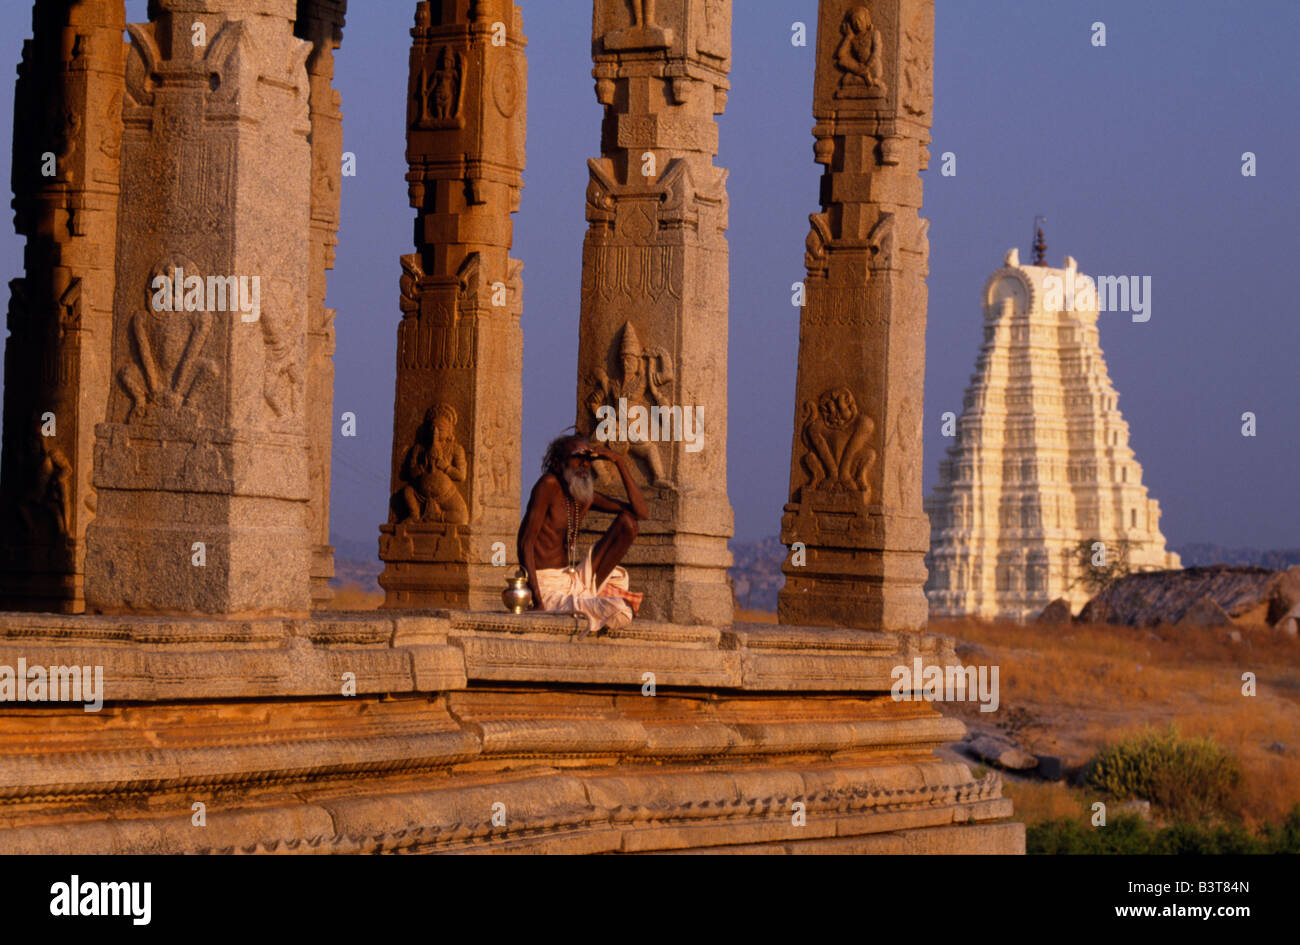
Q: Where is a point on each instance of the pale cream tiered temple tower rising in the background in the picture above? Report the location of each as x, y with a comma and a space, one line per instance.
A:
1042, 461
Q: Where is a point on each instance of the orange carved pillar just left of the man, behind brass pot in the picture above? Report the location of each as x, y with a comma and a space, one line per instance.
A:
458, 406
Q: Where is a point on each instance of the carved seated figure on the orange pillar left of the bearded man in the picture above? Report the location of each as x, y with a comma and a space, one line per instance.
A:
431, 470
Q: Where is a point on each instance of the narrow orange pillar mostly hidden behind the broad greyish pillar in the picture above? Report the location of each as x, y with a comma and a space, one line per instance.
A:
322, 24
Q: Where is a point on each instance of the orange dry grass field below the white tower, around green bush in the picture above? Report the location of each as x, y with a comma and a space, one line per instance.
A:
1071, 691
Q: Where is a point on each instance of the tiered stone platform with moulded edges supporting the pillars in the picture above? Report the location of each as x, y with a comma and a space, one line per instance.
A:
483, 732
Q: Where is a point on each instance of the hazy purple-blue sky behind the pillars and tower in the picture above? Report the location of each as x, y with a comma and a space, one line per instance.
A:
1132, 151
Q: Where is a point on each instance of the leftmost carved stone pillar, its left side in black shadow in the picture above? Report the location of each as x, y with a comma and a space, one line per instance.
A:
68, 132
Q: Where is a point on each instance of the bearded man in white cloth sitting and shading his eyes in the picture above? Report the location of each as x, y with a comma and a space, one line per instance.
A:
548, 537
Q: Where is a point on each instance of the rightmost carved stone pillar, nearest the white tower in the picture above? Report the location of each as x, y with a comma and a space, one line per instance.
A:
856, 502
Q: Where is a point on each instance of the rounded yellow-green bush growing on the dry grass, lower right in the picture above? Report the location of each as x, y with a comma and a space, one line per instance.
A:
1189, 778
